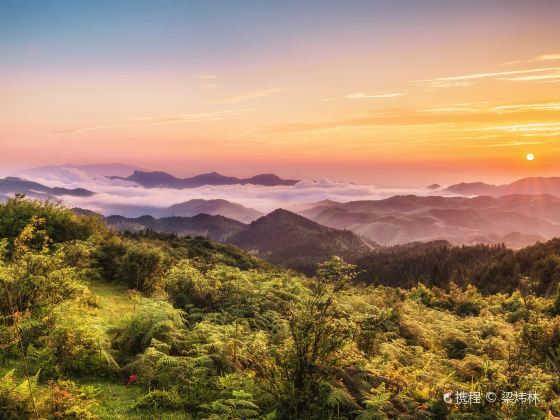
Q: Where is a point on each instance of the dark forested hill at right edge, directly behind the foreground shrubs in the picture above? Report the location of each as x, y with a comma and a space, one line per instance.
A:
491, 268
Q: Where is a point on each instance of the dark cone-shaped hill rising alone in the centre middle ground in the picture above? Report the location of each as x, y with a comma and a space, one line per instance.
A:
286, 238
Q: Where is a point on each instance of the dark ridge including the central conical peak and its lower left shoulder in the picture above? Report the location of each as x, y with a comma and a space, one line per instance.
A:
280, 237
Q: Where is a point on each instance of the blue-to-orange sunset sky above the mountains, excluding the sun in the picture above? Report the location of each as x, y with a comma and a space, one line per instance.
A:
388, 92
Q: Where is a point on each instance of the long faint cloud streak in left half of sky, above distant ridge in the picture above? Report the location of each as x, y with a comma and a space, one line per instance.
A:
154, 120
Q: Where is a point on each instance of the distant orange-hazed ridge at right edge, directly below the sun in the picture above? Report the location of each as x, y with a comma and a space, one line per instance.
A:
526, 186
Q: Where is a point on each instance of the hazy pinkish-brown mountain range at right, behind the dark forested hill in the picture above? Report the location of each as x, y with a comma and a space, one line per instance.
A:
516, 220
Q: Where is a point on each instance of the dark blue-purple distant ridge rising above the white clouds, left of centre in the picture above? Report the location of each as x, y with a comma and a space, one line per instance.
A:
158, 179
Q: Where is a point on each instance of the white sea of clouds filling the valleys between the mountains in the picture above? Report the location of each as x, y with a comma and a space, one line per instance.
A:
129, 199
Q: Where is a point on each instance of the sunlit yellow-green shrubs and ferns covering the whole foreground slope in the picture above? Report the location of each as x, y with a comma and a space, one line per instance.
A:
98, 325
